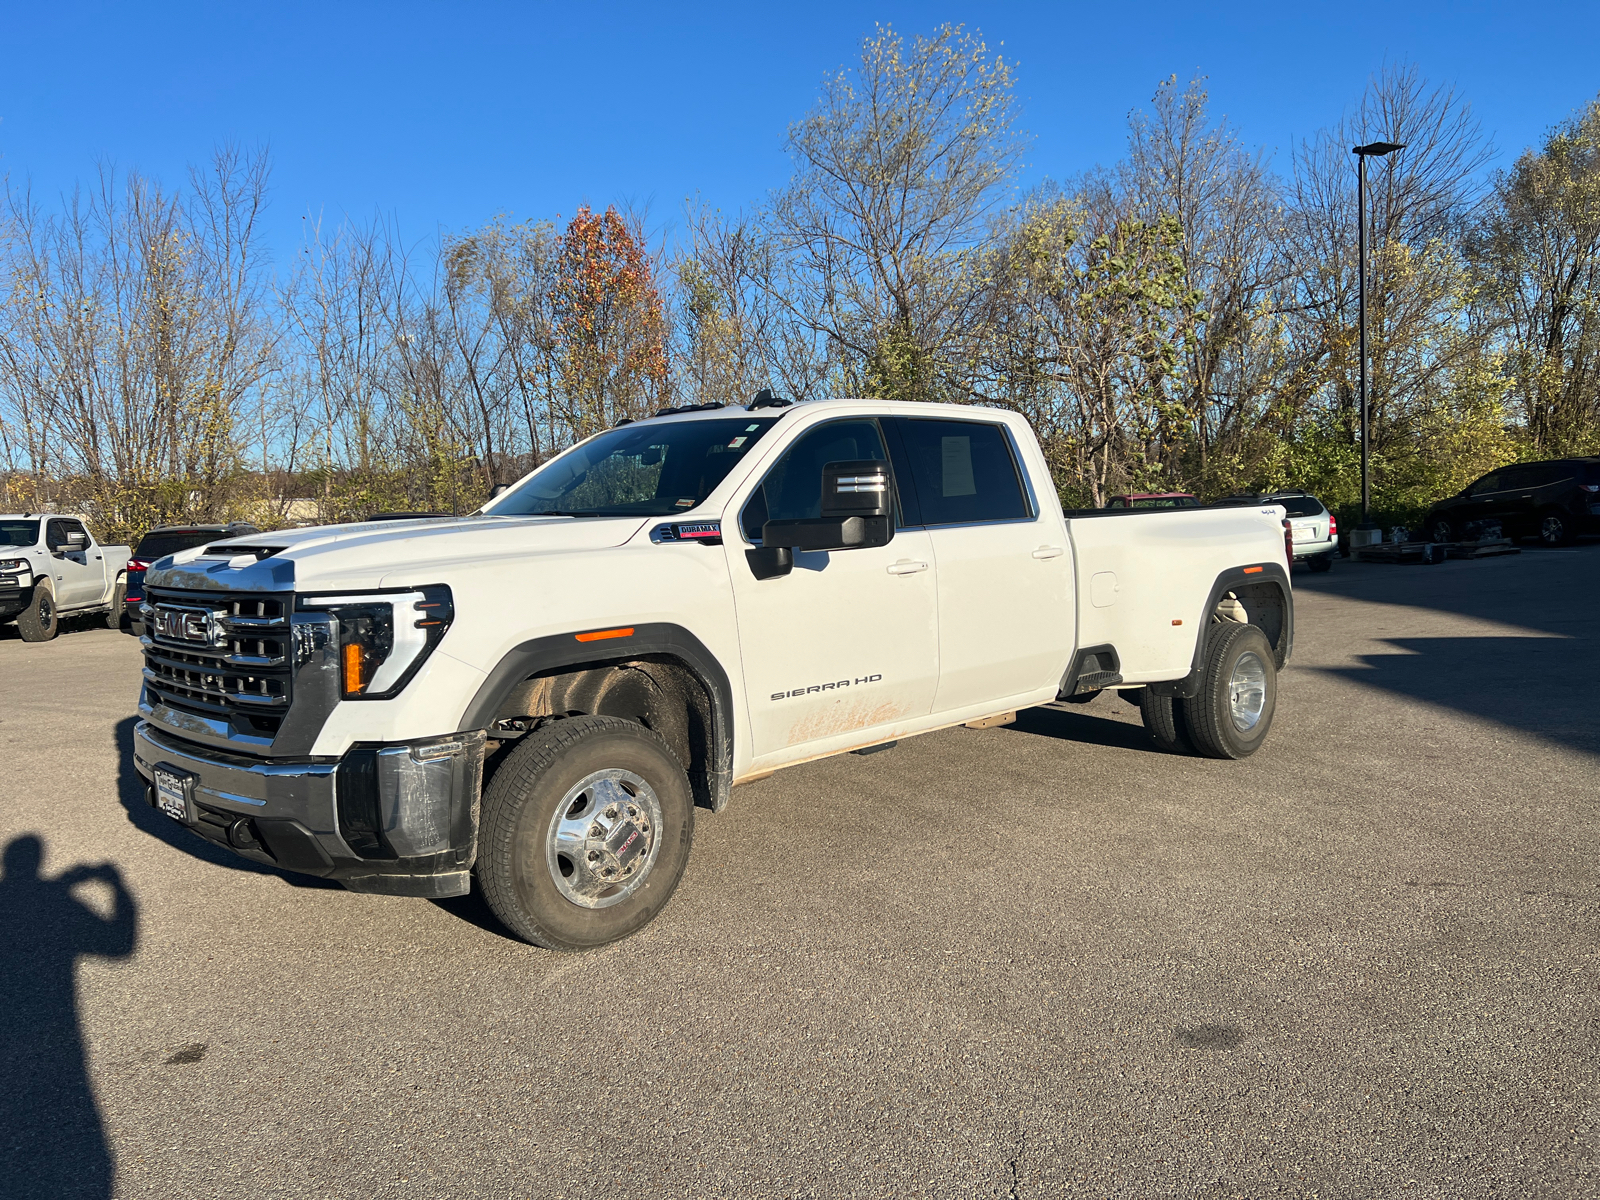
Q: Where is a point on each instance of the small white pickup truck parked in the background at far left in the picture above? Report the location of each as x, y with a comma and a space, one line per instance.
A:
52, 567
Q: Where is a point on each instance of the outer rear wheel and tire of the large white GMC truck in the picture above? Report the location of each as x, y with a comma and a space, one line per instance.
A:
1239, 690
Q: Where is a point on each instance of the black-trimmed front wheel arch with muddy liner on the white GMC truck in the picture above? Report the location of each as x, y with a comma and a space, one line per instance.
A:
660, 676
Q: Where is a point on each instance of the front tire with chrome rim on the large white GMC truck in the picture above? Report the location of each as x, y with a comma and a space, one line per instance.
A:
586, 833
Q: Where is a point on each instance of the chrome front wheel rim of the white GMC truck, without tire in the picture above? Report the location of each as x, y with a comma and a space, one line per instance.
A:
606, 839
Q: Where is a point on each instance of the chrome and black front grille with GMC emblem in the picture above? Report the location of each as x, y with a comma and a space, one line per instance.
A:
222, 655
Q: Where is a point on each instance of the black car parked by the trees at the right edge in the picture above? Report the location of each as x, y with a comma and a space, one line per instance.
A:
1551, 502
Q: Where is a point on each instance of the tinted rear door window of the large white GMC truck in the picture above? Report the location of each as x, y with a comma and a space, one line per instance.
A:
964, 473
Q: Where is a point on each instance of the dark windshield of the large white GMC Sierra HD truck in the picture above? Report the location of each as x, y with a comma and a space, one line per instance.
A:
647, 470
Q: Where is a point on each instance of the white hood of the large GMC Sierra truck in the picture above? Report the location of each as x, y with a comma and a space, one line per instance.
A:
382, 554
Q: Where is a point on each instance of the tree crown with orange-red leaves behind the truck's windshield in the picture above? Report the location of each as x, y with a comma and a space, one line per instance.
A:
610, 329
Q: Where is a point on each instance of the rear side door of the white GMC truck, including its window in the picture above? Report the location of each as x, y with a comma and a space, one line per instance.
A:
1004, 574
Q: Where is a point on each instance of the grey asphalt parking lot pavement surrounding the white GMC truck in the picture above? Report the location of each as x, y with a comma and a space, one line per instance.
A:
1018, 962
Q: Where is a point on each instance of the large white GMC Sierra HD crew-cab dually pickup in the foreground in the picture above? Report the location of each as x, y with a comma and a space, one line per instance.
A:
542, 694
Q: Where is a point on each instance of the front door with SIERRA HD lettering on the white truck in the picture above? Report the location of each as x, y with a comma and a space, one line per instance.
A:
846, 649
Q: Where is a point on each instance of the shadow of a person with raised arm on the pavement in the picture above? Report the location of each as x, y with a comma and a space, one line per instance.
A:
52, 1138
